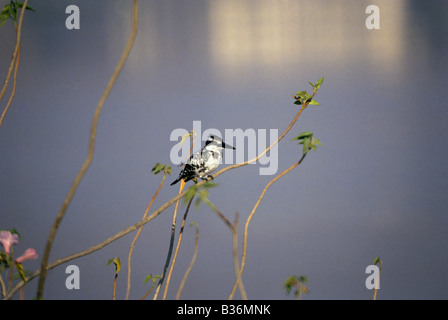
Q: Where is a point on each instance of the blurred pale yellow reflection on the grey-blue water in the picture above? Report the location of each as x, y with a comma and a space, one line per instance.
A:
284, 32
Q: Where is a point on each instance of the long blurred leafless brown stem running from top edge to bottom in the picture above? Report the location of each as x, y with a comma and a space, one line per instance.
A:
89, 158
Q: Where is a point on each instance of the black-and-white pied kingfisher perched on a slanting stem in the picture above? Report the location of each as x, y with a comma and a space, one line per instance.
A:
204, 161
